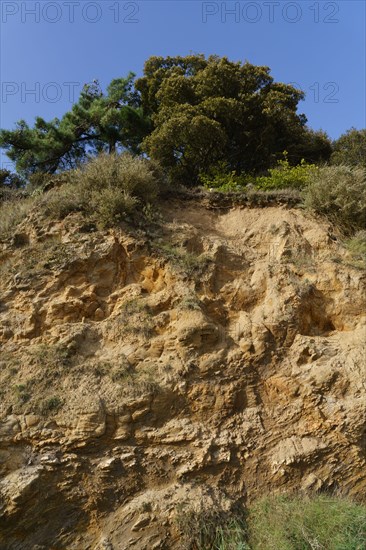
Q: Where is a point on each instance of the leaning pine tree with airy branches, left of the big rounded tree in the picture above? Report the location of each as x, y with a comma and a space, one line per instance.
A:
97, 122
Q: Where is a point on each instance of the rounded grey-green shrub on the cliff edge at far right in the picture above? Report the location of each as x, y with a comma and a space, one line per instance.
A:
339, 193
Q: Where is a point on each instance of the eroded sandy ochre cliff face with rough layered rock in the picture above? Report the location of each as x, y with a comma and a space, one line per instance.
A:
204, 362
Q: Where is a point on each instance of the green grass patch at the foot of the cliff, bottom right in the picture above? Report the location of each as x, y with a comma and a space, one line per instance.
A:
279, 523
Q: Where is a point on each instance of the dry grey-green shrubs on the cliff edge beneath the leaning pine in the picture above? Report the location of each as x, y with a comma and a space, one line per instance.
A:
105, 191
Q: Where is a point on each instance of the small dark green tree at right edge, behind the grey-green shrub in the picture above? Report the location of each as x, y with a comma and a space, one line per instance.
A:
350, 148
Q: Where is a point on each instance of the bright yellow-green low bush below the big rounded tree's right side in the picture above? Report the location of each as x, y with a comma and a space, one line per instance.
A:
285, 176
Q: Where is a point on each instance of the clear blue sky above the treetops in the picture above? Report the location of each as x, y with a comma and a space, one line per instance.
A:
54, 47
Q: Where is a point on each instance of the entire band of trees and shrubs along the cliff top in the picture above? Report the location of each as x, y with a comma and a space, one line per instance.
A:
226, 126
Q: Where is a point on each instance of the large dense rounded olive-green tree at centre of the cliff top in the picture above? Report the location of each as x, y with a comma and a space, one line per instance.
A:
205, 111
